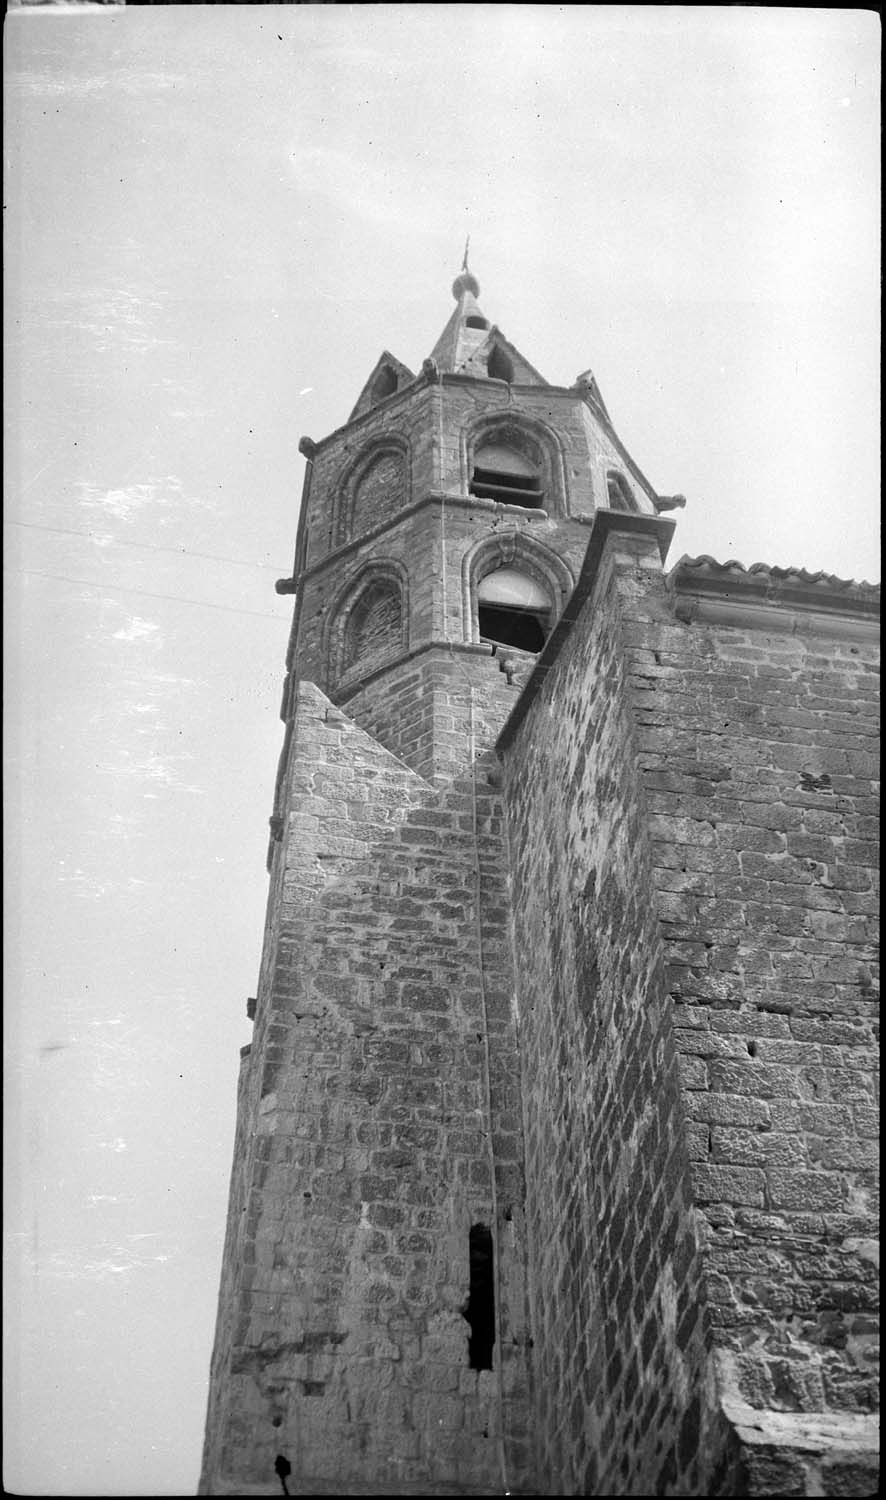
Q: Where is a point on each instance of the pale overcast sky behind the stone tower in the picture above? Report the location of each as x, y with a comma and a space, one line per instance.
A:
218, 218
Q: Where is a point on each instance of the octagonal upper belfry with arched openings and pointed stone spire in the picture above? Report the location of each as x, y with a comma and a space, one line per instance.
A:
443, 530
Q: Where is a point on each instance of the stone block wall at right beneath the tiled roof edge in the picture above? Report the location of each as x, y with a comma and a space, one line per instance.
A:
759, 760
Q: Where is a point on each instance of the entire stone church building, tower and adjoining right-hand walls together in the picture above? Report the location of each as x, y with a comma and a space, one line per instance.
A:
555, 1160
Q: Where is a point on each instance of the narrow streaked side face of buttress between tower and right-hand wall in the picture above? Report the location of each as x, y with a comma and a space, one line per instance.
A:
618, 1318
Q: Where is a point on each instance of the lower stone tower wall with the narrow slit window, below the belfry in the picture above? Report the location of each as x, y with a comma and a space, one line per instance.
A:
382, 1082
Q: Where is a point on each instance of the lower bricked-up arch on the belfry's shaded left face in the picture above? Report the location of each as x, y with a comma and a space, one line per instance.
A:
370, 622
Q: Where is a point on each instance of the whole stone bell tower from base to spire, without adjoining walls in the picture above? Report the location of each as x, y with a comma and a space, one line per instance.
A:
376, 1312
